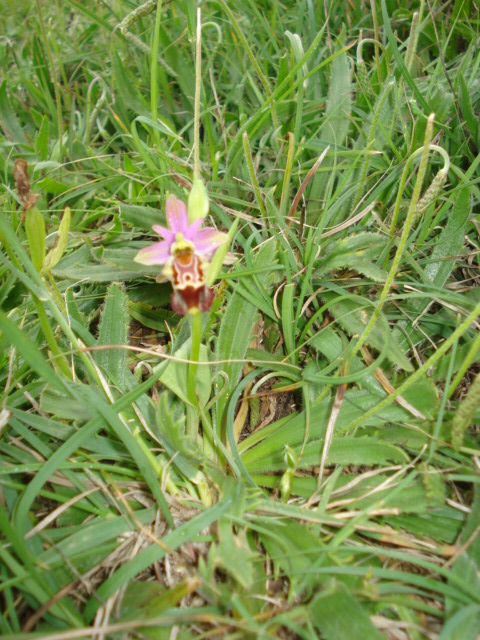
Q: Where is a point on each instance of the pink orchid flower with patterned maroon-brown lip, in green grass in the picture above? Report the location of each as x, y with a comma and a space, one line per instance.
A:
185, 251
